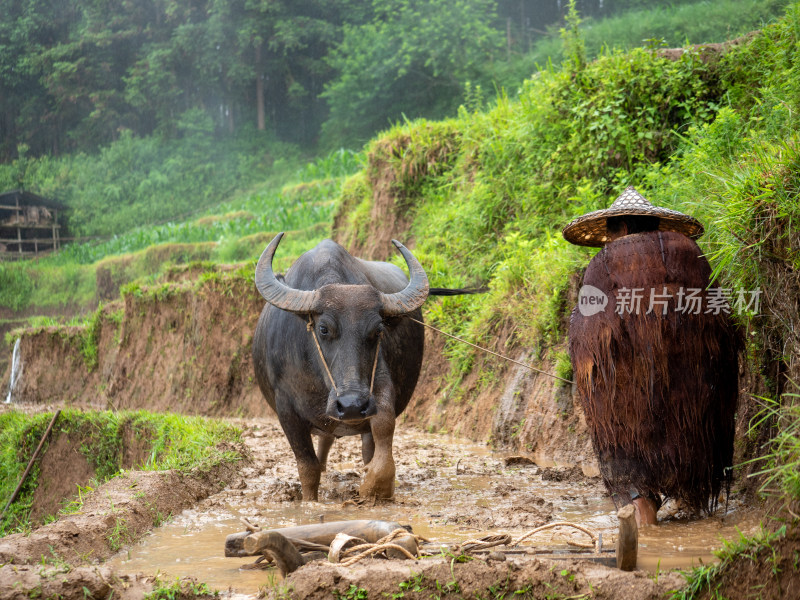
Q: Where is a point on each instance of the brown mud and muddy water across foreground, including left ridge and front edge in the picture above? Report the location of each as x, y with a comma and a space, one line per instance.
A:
448, 489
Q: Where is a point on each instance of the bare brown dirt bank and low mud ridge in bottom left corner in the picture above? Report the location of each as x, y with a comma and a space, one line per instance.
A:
63, 559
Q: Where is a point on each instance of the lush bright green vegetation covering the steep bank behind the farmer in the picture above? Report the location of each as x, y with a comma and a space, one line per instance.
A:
711, 132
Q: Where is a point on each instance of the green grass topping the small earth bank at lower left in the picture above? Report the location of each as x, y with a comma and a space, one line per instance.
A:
176, 442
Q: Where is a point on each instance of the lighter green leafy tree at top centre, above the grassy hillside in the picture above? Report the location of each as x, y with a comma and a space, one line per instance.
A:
413, 58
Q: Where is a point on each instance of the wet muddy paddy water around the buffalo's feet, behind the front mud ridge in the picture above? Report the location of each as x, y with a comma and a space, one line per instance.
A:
448, 490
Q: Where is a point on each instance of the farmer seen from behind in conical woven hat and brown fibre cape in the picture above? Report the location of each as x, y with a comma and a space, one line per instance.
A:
655, 357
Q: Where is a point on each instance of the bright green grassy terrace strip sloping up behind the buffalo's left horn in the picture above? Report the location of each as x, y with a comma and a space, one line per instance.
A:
237, 230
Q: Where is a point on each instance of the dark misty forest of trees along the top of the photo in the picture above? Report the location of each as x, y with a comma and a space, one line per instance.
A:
77, 74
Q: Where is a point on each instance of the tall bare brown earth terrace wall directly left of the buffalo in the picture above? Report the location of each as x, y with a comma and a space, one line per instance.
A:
180, 347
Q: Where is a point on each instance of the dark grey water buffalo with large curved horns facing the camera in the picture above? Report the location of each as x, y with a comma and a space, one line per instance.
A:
334, 356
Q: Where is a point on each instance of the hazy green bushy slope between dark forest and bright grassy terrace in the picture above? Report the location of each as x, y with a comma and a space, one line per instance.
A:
137, 181
